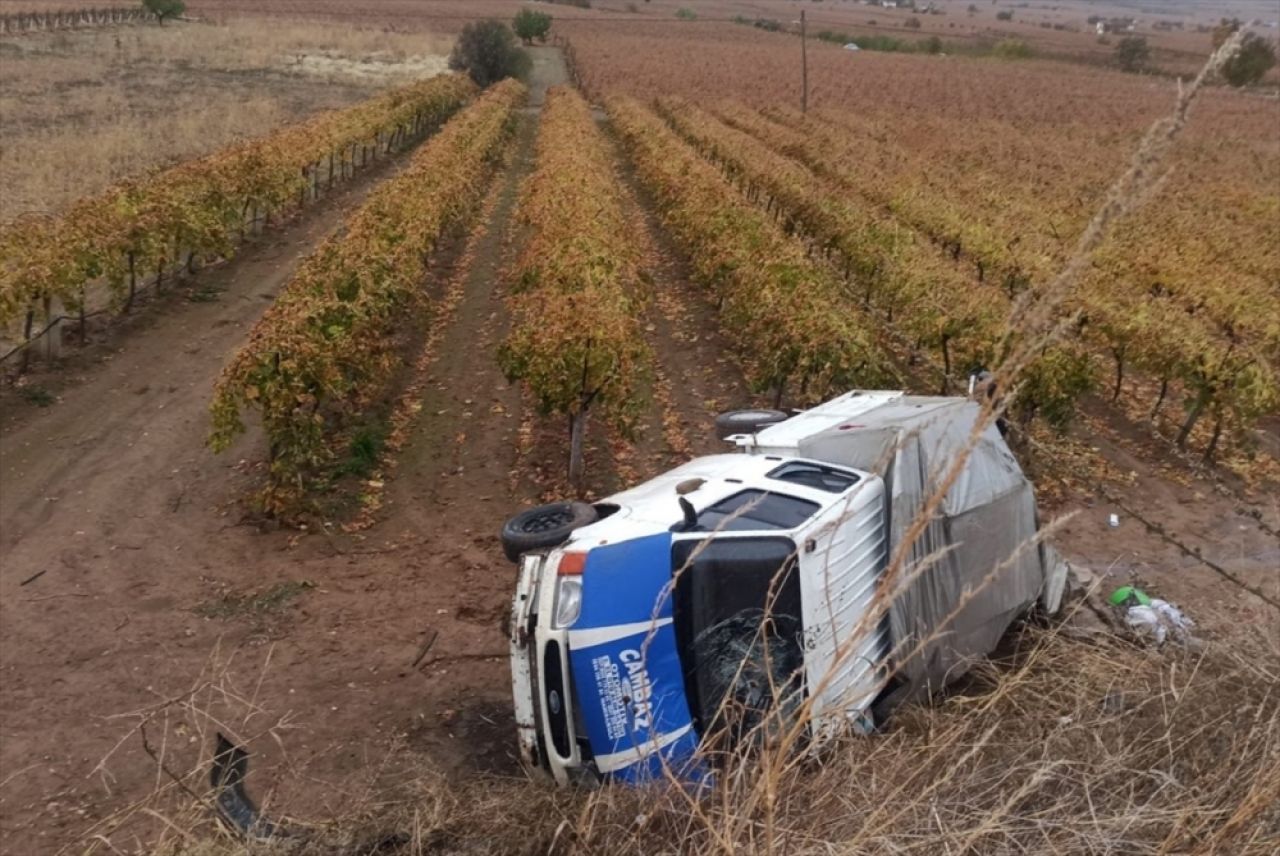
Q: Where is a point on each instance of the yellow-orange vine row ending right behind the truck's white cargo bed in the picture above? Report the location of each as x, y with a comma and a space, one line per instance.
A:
790, 318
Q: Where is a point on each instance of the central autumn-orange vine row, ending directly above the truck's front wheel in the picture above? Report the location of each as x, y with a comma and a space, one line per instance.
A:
577, 341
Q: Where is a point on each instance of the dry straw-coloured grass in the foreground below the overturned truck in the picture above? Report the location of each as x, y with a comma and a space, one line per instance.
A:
1073, 744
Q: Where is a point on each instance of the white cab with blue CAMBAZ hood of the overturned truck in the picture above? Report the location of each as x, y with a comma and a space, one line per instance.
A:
733, 588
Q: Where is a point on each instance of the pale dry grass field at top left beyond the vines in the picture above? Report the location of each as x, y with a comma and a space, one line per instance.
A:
83, 109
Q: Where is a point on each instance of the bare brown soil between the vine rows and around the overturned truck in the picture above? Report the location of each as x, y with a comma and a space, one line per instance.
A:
131, 579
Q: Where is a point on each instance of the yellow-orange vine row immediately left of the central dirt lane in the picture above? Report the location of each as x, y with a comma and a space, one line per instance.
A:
323, 353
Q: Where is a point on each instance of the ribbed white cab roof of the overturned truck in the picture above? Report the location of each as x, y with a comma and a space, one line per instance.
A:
842, 559
